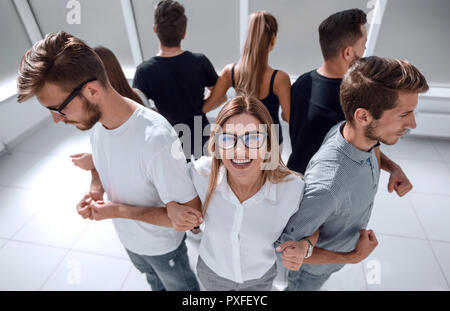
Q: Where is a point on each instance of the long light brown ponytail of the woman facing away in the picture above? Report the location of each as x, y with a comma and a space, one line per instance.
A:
262, 28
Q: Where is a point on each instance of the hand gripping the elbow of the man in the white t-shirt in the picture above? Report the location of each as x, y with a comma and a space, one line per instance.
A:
183, 217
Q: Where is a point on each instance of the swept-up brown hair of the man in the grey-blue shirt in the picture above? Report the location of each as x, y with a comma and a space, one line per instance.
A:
373, 83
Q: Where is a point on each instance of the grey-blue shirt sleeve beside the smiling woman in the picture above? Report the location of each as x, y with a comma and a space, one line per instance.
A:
315, 208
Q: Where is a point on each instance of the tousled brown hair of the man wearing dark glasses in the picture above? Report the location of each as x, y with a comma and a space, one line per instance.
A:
59, 58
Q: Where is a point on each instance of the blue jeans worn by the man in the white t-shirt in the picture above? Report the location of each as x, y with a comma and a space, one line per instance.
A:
170, 271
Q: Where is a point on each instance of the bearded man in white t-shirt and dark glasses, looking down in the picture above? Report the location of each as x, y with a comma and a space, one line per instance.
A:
136, 152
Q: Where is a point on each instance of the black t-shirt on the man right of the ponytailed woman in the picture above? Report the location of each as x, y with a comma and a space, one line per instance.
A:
315, 109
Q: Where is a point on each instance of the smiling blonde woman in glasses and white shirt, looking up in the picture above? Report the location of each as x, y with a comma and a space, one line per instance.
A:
245, 205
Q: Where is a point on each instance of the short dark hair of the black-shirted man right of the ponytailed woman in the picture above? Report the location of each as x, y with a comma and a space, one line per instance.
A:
340, 30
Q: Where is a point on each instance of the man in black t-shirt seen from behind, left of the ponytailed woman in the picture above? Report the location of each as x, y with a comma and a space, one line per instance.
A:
175, 79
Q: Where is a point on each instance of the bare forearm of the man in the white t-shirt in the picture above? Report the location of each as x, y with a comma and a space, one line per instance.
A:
152, 215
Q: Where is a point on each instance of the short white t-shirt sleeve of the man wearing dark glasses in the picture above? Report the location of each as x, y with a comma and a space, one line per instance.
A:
170, 175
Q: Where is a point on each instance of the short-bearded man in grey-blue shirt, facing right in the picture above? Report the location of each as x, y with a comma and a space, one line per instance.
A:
378, 98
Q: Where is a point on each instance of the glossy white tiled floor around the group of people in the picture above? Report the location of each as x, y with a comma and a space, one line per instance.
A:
45, 245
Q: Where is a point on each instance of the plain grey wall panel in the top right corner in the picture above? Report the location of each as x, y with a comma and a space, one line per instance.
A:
418, 31
